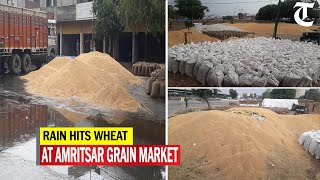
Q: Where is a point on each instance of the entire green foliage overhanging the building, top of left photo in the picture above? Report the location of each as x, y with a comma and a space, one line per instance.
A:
112, 16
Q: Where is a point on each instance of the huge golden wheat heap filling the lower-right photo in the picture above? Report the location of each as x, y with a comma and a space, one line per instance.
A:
225, 145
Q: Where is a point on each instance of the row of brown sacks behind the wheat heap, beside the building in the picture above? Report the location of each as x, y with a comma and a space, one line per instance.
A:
145, 68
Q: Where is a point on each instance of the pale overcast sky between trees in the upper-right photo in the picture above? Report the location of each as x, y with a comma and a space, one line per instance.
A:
233, 7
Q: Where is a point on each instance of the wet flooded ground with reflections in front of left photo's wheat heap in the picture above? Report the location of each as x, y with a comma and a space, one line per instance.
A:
22, 113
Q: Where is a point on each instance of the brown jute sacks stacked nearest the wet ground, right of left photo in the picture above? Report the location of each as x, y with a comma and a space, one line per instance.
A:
157, 84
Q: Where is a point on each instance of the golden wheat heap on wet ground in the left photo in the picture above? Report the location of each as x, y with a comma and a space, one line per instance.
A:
94, 78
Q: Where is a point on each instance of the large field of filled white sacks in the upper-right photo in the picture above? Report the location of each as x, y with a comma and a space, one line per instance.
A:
247, 62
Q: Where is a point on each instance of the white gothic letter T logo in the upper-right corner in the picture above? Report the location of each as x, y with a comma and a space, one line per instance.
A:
304, 7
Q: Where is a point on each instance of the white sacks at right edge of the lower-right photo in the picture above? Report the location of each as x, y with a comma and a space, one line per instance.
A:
311, 142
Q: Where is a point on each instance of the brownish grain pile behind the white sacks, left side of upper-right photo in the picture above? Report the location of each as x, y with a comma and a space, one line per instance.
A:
178, 37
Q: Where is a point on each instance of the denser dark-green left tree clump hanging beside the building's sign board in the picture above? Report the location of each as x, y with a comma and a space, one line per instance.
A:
107, 22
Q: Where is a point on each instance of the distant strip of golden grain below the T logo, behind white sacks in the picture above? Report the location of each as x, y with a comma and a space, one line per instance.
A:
267, 28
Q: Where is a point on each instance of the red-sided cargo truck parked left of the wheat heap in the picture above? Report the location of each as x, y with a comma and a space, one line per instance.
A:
24, 39
